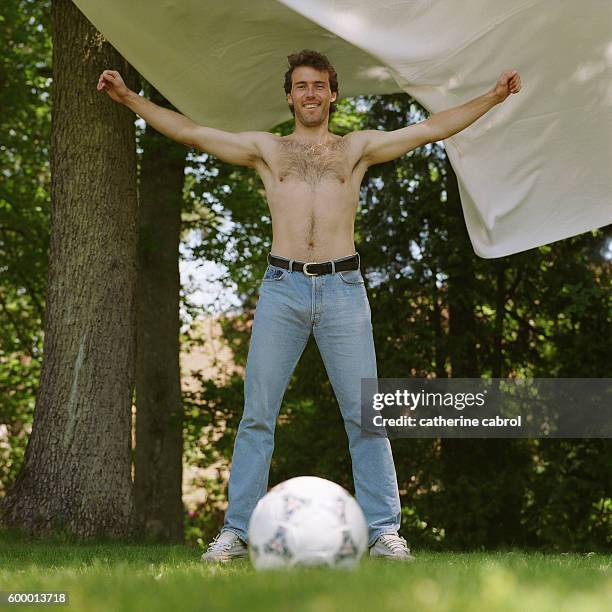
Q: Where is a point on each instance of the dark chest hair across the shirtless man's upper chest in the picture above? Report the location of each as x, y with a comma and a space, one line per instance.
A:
312, 163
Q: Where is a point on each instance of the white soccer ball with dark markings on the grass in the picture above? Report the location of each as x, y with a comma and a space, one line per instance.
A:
307, 521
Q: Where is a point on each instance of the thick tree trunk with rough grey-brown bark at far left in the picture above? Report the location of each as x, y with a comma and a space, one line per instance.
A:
76, 476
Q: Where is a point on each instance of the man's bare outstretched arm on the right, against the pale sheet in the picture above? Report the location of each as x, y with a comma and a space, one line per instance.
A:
379, 146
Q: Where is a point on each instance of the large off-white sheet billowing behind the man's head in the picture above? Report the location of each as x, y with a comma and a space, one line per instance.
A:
535, 169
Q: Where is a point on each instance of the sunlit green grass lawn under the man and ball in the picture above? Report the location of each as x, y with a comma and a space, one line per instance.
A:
109, 577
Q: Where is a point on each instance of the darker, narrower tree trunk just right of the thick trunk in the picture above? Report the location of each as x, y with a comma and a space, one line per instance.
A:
159, 423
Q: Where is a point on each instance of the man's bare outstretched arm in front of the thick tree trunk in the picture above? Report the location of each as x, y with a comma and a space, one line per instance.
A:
236, 148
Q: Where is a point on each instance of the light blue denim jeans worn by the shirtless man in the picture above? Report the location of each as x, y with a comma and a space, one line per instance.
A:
335, 308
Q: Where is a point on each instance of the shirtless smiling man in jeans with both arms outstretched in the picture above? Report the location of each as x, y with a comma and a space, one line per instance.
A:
313, 283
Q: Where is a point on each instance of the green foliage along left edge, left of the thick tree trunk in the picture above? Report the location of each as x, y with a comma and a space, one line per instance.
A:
24, 218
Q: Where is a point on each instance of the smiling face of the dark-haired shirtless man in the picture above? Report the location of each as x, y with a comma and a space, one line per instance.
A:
310, 95
